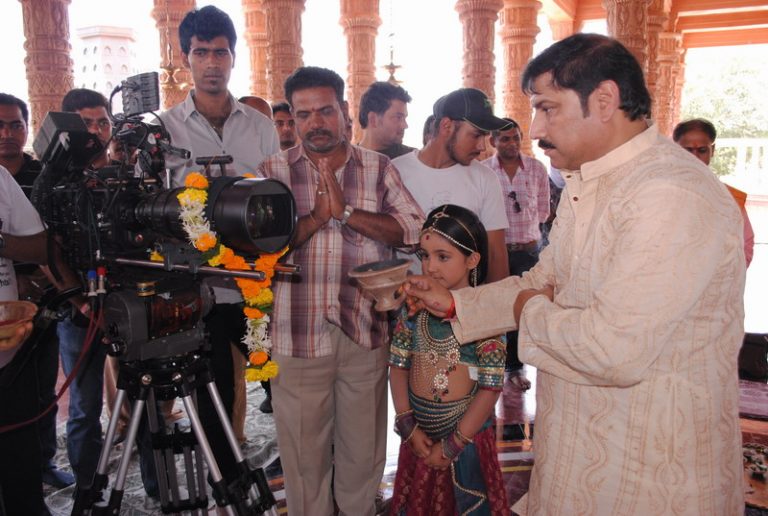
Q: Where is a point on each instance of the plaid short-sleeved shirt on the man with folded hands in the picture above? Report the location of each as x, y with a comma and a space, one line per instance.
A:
303, 308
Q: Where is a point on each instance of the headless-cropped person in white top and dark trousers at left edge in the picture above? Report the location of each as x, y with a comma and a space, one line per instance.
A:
22, 238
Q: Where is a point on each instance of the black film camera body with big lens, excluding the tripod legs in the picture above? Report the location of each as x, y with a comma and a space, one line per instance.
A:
112, 218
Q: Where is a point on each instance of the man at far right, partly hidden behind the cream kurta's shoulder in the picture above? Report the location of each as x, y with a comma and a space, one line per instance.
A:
698, 136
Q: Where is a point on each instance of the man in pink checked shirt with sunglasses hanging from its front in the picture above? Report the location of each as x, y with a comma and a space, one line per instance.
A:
525, 185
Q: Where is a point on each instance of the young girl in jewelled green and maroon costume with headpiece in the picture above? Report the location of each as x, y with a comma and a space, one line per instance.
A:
444, 394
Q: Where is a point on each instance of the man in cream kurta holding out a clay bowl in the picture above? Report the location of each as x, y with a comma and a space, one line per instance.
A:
633, 317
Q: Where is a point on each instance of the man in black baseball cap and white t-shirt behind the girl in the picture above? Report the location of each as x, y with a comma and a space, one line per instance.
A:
446, 171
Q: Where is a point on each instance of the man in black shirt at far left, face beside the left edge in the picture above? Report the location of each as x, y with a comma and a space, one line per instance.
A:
31, 282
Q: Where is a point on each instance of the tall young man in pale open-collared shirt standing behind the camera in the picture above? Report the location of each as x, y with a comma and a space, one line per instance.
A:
210, 122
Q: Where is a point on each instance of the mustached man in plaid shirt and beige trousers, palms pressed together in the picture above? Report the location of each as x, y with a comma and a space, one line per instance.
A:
331, 345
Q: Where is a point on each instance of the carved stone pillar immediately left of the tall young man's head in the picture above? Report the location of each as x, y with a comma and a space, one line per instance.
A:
175, 79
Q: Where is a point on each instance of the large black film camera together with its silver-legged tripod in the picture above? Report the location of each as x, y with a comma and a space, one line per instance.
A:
107, 221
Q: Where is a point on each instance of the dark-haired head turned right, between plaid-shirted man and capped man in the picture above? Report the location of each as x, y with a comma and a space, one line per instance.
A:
383, 114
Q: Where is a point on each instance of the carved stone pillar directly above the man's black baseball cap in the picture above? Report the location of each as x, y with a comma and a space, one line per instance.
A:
477, 19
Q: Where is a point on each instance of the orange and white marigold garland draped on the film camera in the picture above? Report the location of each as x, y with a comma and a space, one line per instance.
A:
257, 294
